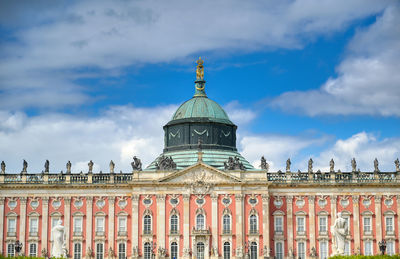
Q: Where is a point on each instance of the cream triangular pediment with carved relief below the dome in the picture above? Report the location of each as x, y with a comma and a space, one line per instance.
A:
200, 172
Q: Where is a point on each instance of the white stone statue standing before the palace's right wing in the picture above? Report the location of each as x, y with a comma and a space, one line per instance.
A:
339, 231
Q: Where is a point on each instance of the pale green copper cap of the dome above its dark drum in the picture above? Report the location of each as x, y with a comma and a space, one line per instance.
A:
201, 107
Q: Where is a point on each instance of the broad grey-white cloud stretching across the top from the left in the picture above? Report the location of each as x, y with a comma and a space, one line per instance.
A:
52, 46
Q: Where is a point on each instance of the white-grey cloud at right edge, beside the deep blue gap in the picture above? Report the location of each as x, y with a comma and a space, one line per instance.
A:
368, 78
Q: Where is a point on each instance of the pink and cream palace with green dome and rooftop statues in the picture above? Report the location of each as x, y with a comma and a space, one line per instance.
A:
199, 199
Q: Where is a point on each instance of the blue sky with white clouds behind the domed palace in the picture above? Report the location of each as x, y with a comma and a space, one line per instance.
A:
97, 80
